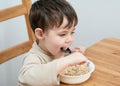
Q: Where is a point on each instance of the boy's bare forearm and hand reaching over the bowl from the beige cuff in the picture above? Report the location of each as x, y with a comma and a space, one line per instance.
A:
69, 60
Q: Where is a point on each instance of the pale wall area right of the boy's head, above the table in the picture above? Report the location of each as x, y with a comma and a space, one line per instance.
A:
97, 19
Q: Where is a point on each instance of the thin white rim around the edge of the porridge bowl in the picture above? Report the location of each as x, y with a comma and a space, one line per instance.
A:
91, 70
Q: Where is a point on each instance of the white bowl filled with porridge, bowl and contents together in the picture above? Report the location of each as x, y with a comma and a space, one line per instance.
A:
78, 73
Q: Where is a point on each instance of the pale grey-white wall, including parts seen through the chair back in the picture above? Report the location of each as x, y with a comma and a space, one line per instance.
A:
98, 19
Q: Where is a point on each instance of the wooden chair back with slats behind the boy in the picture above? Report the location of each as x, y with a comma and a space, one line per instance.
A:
15, 11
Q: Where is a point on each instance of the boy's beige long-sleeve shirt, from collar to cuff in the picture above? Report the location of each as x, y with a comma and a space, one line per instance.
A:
39, 69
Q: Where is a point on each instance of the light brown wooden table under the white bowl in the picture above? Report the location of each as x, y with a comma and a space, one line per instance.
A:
106, 56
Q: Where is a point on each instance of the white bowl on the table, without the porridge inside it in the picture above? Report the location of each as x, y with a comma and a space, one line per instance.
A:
77, 79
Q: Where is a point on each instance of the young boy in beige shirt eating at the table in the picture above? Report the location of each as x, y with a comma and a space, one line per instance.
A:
53, 22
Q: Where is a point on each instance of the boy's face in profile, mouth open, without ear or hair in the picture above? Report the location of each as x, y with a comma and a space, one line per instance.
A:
57, 38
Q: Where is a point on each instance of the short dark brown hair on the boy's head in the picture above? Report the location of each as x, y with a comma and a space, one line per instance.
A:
46, 14
